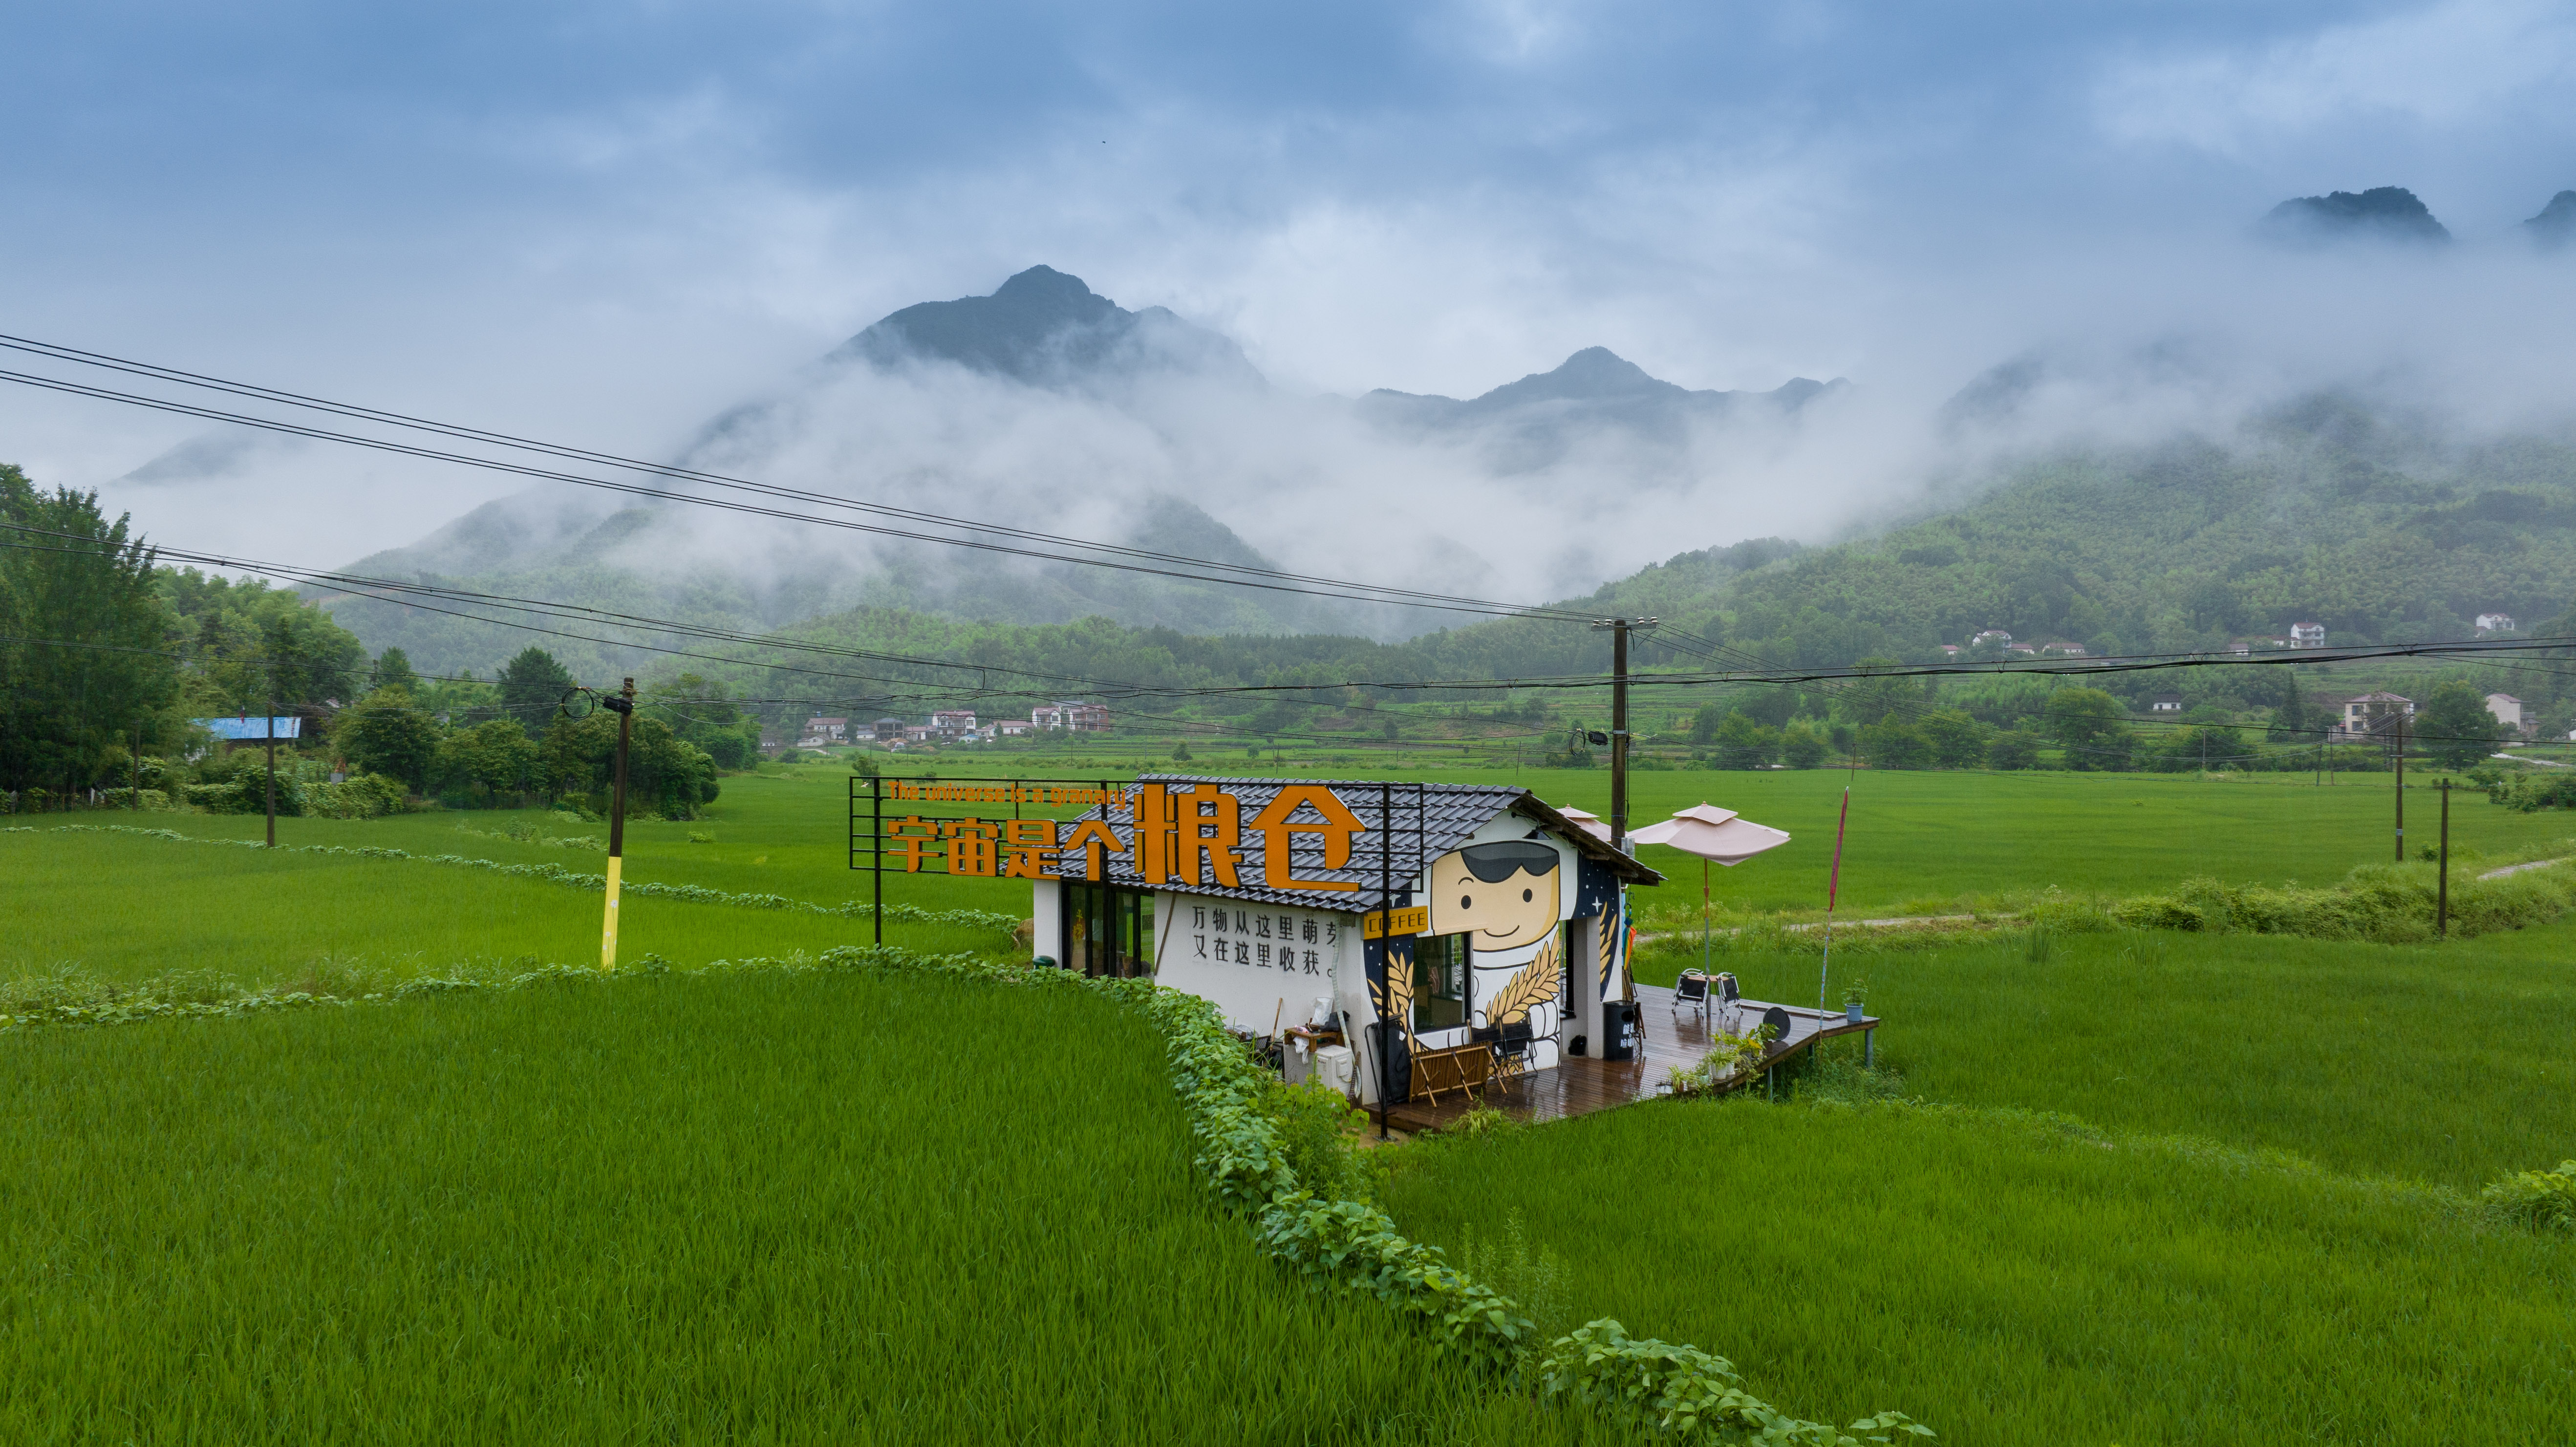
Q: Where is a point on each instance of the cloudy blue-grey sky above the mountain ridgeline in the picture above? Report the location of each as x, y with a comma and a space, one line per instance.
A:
607, 220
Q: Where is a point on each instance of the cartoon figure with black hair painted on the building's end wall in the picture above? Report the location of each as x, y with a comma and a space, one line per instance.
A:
1508, 897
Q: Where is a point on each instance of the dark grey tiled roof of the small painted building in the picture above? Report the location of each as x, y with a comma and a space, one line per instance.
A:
1423, 823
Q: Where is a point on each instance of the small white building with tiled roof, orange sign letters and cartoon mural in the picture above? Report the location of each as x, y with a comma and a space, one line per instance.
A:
1475, 918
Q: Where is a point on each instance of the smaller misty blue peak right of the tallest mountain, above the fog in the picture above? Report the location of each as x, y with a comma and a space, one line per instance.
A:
1542, 418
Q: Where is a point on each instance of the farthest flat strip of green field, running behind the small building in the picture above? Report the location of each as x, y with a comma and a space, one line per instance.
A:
1918, 841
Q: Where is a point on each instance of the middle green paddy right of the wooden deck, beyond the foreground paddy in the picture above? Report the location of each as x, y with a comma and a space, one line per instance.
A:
2428, 1062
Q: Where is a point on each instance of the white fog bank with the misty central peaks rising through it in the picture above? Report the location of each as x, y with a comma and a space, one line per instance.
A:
1052, 408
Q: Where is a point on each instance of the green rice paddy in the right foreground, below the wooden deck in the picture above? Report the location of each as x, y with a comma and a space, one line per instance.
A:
2026, 1286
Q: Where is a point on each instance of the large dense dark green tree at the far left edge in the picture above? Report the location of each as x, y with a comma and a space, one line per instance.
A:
84, 640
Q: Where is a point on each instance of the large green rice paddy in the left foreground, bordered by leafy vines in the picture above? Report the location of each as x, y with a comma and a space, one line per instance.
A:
746, 1209
